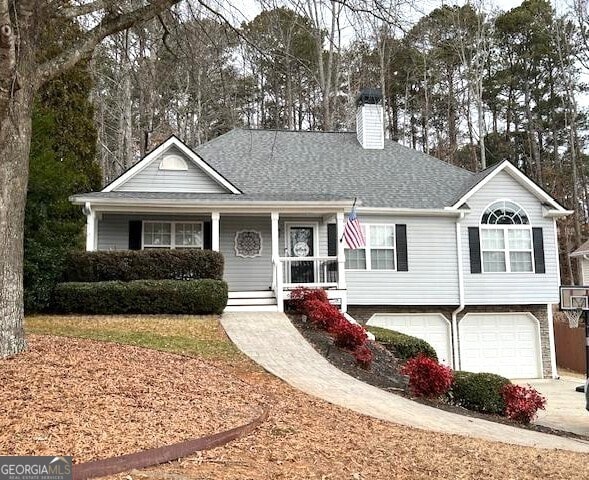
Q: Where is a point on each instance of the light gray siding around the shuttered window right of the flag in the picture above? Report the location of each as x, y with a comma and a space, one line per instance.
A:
432, 278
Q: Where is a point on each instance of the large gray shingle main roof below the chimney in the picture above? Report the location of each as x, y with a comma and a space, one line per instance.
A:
285, 163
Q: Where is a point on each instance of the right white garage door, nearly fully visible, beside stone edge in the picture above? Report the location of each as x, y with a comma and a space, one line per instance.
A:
507, 344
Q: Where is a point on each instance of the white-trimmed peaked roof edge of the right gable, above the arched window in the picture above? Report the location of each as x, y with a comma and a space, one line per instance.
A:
480, 179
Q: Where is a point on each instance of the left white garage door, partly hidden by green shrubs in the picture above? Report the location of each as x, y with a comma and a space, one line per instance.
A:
431, 327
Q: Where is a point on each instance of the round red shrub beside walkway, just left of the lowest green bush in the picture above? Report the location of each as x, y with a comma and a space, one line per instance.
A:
427, 378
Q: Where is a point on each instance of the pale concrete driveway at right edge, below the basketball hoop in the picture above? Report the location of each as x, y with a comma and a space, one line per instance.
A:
565, 408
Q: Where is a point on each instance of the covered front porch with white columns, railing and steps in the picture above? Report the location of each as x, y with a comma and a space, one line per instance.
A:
267, 254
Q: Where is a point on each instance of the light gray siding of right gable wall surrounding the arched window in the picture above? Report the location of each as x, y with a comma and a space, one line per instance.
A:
510, 288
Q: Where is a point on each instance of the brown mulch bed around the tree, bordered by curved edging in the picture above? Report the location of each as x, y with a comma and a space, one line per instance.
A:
96, 400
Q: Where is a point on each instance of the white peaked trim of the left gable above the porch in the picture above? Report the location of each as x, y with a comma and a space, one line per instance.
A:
173, 143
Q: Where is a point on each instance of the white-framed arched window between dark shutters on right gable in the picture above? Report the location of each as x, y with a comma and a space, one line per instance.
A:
506, 238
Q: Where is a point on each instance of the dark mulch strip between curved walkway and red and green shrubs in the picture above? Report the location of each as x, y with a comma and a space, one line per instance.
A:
384, 373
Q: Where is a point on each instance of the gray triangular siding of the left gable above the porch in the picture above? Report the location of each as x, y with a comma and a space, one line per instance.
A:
152, 179
